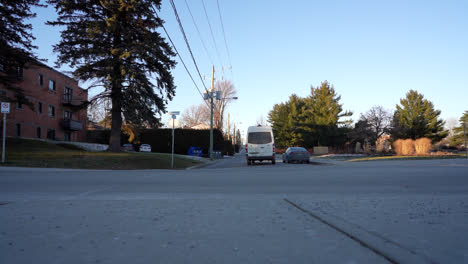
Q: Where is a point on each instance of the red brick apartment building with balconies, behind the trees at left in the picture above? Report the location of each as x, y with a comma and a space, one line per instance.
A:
56, 113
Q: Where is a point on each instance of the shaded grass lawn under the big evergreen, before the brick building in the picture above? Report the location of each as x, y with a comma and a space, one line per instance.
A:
33, 153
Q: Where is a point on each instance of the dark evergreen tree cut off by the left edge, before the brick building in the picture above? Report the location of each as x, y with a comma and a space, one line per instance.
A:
16, 48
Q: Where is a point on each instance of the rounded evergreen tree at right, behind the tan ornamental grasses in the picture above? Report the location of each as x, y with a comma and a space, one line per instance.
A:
416, 118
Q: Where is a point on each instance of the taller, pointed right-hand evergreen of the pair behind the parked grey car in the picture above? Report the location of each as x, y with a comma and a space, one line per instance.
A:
321, 119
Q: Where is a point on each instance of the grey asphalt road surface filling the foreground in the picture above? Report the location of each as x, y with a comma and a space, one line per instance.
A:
228, 212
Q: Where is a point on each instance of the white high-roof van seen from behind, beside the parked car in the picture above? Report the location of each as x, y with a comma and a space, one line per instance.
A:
260, 144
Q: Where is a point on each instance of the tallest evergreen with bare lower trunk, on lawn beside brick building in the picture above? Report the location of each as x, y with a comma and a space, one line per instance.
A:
116, 45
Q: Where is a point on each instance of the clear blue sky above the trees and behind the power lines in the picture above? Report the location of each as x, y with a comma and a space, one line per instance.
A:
373, 52
